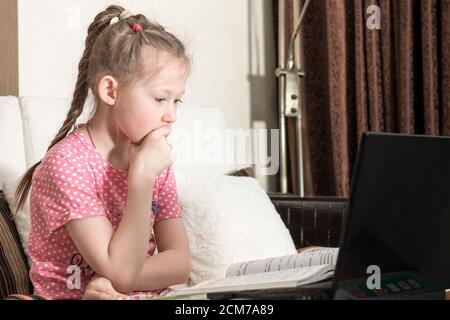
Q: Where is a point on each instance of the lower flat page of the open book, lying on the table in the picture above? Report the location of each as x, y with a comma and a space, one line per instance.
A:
277, 279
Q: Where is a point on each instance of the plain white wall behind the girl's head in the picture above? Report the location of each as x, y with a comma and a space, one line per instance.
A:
228, 40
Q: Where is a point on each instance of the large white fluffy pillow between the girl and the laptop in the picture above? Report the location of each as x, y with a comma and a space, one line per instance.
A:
228, 220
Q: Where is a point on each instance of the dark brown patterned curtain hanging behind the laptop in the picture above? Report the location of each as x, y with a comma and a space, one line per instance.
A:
395, 79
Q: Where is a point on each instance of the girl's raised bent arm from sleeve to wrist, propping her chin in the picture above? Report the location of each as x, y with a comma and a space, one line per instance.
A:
120, 255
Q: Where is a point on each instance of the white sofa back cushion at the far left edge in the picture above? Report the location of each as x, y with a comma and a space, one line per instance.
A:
12, 153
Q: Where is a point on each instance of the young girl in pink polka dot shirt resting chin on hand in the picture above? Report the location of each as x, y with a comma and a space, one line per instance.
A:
104, 186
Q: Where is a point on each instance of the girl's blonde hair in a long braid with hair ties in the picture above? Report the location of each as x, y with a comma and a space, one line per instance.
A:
114, 49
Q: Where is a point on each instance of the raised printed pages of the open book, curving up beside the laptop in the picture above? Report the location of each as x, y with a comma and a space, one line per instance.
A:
309, 257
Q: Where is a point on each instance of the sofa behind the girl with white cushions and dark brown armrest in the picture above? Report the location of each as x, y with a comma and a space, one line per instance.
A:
253, 225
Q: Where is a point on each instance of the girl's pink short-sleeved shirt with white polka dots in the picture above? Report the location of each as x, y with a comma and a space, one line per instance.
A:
74, 181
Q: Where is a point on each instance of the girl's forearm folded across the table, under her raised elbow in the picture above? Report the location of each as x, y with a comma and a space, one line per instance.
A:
172, 264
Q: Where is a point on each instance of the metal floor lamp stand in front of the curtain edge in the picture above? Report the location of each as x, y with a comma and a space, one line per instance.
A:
289, 76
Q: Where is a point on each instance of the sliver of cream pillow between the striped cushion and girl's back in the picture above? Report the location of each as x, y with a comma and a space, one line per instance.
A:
21, 218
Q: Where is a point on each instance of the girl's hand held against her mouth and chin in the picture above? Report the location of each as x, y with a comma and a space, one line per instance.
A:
152, 155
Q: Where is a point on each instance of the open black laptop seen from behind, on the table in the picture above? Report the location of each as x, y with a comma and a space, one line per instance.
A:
395, 242
